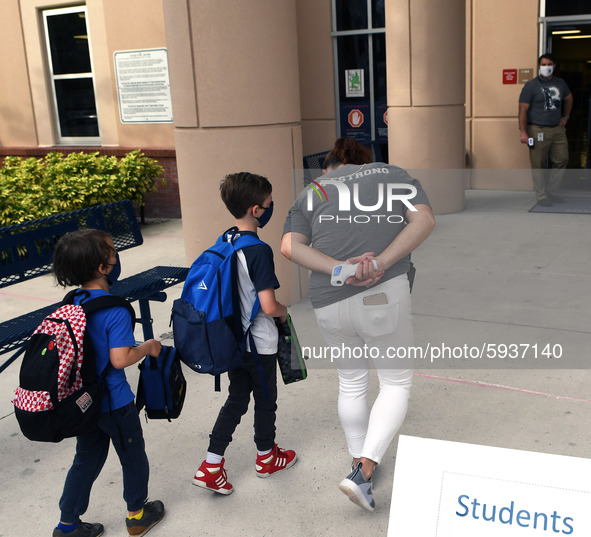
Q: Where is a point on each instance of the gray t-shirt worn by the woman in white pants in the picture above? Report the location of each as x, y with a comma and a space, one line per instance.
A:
352, 210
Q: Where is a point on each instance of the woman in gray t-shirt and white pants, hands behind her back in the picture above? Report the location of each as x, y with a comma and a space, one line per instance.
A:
373, 214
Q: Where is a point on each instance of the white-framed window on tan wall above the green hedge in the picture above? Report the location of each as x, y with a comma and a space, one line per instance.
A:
71, 75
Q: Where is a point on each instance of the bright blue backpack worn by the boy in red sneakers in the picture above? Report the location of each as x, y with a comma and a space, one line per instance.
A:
206, 319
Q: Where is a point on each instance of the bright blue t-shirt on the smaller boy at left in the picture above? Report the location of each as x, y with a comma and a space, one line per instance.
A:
108, 329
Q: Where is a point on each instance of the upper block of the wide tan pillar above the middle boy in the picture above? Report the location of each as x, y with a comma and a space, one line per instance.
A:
245, 63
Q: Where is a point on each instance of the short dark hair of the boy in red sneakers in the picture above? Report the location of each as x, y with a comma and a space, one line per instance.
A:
243, 190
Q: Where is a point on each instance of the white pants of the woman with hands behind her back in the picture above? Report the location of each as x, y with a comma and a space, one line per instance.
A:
371, 331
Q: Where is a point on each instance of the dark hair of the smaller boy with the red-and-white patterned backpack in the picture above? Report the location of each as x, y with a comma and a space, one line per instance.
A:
78, 255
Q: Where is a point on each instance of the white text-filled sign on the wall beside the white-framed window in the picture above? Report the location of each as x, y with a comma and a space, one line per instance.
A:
143, 86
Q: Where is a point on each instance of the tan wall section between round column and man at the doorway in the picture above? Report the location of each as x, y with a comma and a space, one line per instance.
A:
504, 35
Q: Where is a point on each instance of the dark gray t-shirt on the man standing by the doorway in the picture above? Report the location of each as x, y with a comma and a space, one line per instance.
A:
544, 97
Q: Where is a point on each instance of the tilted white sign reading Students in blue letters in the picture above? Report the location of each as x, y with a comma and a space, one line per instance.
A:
449, 489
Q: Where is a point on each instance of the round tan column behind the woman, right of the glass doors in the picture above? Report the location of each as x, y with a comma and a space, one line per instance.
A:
426, 94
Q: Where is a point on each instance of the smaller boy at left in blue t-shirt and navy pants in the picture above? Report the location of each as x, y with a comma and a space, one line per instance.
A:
88, 259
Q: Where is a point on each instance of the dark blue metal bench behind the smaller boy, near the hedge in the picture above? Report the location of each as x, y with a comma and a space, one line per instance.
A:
26, 252
